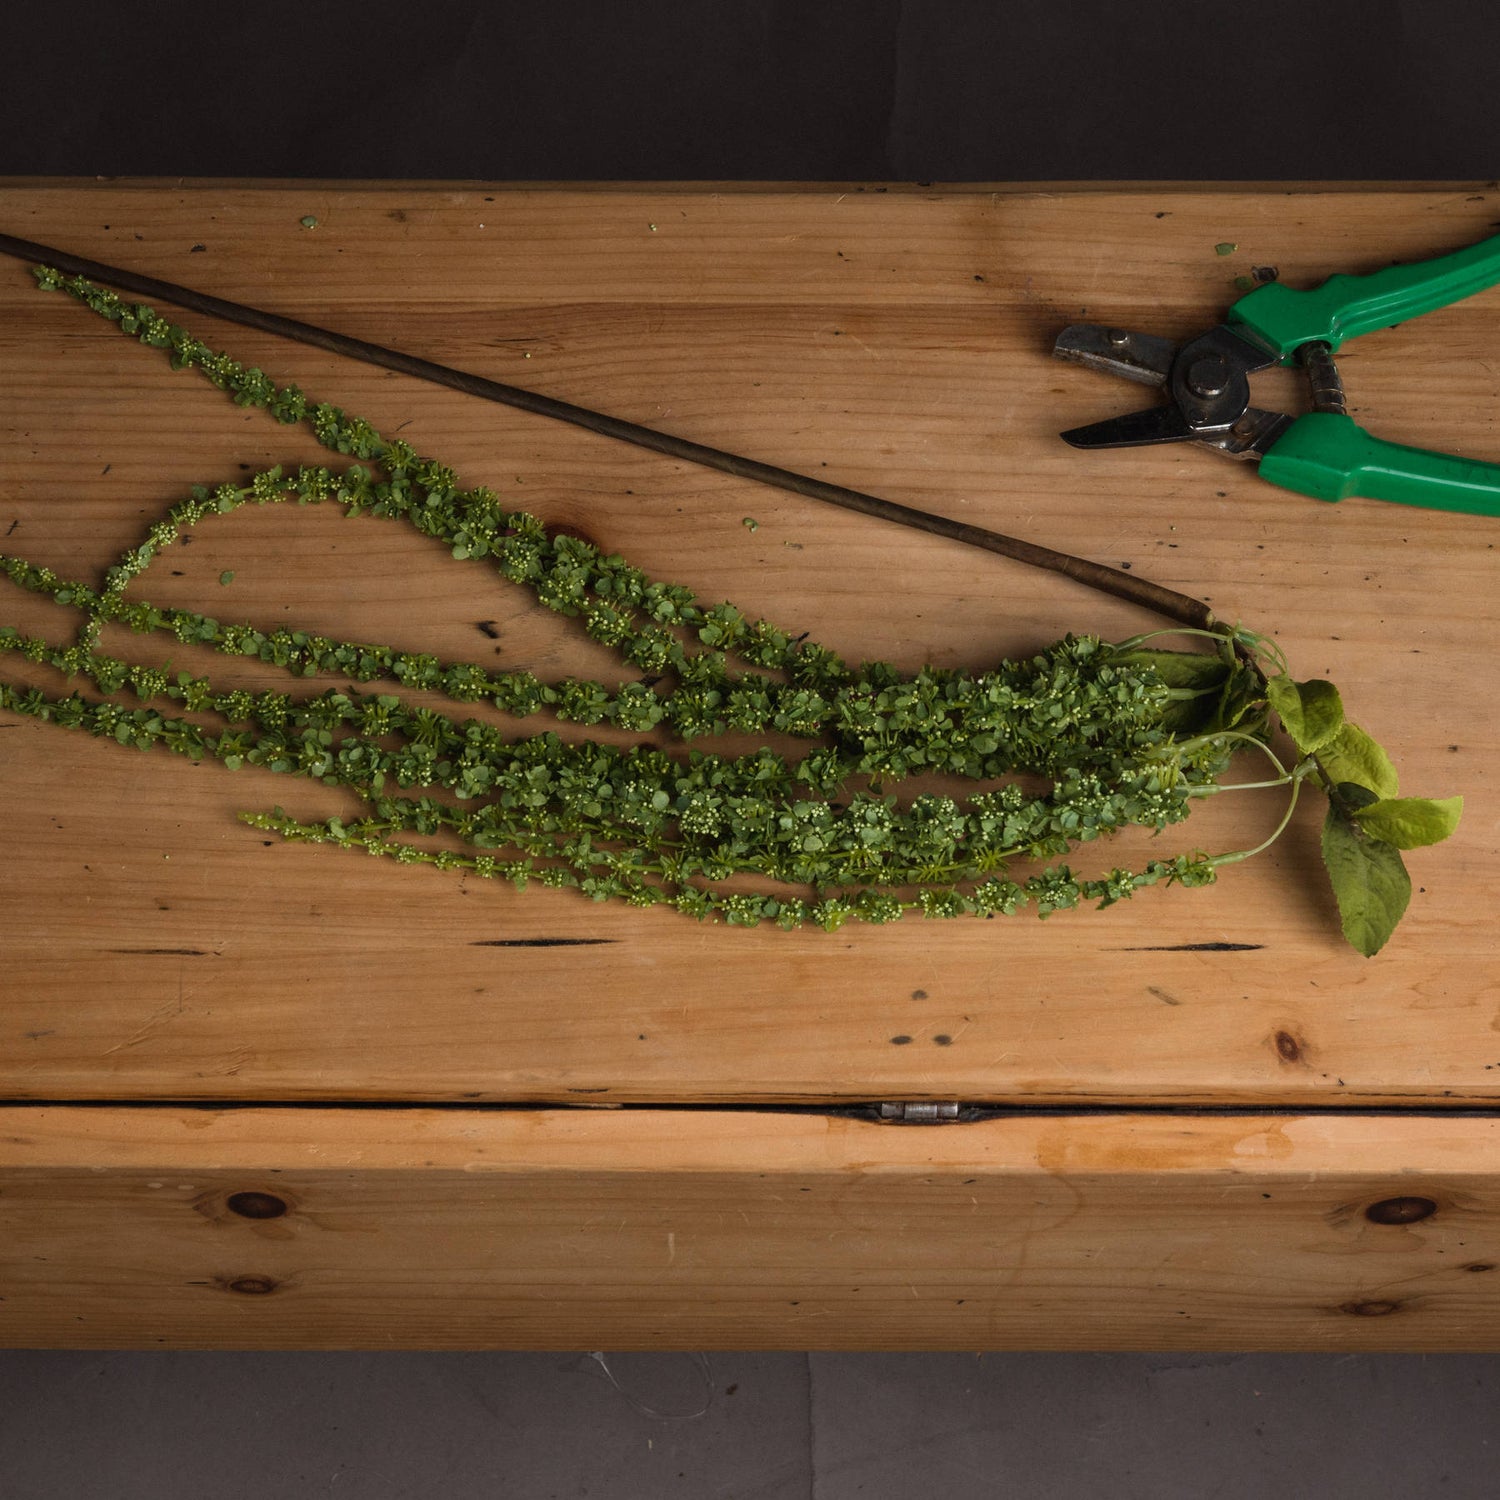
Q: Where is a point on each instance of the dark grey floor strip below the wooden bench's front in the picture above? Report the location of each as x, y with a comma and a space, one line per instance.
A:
748, 1427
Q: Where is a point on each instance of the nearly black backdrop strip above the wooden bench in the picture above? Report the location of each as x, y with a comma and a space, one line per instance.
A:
952, 91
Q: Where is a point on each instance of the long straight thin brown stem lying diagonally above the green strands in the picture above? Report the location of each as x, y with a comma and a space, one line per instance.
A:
1096, 575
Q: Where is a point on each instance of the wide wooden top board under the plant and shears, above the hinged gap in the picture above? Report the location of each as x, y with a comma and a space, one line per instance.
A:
893, 341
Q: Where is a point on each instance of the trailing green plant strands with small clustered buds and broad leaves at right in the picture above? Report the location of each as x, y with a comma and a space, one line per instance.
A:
1070, 745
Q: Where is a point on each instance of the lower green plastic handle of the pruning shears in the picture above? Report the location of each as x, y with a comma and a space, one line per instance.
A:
1331, 457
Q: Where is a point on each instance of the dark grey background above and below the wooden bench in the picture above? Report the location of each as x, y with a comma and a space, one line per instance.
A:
815, 91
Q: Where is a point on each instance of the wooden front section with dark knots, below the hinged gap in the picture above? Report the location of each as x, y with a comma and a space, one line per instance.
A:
478, 1229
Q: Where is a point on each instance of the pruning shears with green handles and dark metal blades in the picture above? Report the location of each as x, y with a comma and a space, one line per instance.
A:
1324, 454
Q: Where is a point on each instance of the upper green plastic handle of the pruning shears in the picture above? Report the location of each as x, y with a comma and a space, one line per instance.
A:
1345, 307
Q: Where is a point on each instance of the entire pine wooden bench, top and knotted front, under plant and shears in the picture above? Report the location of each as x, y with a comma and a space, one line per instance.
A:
284, 1097
